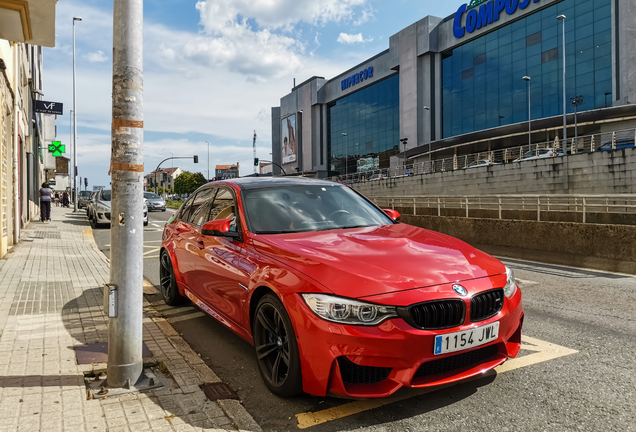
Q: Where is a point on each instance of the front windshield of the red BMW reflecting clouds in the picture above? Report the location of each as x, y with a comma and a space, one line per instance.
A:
299, 208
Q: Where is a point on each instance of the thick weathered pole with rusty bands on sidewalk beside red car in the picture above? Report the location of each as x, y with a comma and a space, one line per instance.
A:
125, 363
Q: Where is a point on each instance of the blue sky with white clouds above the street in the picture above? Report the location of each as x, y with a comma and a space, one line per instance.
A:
212, 70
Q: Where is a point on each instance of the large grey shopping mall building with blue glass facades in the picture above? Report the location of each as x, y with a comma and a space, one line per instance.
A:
455, 86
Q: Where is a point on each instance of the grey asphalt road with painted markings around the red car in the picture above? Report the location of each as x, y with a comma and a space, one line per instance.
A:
576, 371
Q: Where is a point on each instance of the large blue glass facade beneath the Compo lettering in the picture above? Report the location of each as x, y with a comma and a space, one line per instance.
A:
482, 80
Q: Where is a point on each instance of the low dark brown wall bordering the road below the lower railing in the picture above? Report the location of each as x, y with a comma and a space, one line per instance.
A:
603, 247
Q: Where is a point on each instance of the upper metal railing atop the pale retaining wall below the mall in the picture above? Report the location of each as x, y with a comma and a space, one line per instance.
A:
607, 141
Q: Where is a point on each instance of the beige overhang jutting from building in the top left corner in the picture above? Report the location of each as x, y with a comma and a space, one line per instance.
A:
28, 21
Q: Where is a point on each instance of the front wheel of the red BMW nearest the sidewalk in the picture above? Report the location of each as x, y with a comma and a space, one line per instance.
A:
275, 340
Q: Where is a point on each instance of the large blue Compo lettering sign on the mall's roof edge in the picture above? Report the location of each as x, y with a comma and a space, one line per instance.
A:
487, 13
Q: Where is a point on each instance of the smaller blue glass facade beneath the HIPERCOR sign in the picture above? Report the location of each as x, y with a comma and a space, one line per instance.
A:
371, 119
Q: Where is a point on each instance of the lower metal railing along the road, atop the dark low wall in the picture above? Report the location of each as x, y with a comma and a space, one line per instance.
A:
584, 204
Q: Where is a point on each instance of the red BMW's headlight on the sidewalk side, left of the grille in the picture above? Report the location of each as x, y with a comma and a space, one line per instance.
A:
347, 311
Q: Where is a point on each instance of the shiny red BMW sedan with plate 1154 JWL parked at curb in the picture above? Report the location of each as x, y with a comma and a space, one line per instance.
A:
336, 295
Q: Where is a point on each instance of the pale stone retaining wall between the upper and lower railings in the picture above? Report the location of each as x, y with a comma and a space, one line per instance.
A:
610, 172
